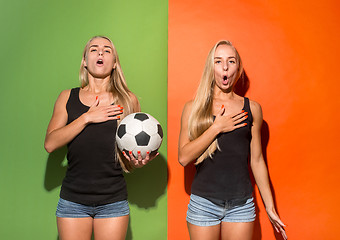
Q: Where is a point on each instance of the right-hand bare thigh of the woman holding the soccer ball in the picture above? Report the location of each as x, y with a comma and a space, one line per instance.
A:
111, 228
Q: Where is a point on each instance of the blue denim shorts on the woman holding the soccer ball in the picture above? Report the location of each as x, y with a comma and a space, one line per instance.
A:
67, 209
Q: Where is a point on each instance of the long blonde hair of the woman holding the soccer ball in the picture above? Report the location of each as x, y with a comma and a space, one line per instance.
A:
118, 88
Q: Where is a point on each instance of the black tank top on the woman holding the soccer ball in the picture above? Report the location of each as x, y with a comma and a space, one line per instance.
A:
93, 176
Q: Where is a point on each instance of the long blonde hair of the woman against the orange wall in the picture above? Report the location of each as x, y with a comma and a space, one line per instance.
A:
201, 117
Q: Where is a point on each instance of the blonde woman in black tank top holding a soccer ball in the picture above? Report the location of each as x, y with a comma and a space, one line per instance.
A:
93, 196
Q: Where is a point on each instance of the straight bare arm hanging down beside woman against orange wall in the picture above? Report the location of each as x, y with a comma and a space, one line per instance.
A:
260, 171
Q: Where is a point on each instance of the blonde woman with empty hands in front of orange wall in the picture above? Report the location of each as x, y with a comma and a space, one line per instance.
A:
221, 129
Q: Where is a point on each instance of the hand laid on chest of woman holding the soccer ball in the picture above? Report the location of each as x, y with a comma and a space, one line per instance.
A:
97, 114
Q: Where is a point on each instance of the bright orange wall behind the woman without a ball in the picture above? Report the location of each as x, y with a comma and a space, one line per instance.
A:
290, 51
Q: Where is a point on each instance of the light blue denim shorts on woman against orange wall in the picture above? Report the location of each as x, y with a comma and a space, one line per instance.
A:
203, 212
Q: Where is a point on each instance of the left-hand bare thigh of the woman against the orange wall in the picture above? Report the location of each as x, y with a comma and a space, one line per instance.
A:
204, 233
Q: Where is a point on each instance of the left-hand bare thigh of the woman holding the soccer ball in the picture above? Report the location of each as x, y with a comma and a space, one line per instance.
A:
75, 228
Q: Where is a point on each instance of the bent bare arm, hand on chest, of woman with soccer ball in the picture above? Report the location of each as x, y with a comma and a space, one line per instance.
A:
59, 134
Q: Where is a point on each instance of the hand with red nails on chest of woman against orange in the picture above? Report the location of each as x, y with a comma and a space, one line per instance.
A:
227, 123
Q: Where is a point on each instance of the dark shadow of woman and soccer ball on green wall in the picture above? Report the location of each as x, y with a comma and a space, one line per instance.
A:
145, 185
